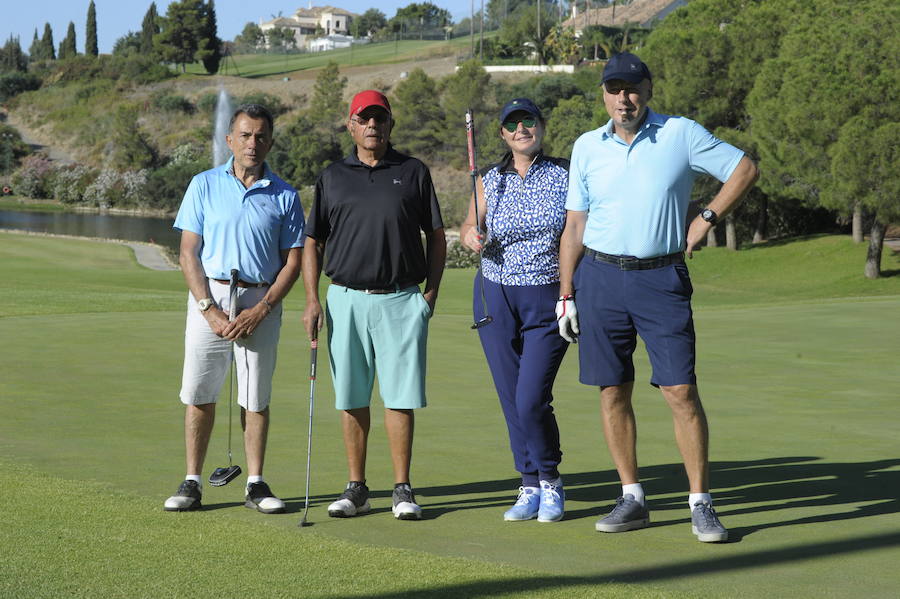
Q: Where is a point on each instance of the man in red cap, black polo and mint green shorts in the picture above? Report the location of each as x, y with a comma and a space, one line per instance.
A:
371, 209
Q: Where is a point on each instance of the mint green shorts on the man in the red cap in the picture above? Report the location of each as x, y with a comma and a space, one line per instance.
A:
383, 334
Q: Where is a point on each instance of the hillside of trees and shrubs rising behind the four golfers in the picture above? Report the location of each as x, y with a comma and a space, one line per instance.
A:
808, 88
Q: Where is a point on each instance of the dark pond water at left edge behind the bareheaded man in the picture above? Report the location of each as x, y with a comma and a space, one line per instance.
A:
109, 226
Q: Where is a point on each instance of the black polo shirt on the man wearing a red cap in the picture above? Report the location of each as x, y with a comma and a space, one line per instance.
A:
371, 219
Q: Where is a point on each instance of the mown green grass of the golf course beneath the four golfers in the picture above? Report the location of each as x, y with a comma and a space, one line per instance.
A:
798, 366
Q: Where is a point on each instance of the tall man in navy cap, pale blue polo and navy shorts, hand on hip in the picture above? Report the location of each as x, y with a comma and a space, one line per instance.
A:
622, 252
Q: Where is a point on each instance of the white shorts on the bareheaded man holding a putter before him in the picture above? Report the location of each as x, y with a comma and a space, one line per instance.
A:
207, 356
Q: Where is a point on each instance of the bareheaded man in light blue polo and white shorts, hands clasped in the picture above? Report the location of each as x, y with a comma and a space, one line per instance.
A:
237, 216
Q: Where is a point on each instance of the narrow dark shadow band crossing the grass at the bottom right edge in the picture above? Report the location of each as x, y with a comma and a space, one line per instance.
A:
681, 569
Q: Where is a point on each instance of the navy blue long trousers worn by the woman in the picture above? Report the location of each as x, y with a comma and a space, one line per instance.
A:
524, 351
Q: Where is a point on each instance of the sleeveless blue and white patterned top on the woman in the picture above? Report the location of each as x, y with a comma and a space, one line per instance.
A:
524, 220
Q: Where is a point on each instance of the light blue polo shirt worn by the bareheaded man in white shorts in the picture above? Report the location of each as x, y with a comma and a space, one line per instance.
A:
242, 228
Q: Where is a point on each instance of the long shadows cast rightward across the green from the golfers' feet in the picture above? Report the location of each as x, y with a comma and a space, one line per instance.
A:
779, 484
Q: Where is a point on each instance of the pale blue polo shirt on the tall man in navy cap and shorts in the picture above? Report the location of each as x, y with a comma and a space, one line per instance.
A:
636, 195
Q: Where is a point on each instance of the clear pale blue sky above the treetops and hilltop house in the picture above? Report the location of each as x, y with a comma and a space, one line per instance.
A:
117, 17
